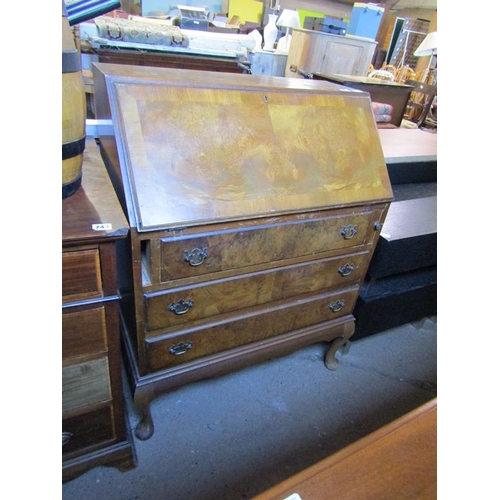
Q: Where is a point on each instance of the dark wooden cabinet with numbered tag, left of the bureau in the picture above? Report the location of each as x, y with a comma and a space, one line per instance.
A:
94, 430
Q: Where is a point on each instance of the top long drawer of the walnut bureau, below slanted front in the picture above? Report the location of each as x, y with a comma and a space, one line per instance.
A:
239, 248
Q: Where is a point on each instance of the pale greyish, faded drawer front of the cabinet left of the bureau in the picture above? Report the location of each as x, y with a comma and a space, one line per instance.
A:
85, 384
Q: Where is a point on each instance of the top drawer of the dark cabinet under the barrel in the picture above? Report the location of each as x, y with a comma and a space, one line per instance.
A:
81, 275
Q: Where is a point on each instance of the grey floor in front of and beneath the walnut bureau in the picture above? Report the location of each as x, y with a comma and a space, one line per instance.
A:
235, 436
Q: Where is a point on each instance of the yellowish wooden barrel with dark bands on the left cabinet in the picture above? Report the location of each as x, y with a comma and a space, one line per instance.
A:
74, 111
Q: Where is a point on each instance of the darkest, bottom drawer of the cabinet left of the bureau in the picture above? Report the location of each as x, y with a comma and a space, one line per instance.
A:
86, 430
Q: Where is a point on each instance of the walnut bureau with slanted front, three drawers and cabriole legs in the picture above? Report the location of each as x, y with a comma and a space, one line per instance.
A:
254, 204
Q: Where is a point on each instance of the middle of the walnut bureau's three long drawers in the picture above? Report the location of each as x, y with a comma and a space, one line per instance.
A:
186, 304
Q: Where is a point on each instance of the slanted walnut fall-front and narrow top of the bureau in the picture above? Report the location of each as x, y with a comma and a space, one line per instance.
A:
201, 147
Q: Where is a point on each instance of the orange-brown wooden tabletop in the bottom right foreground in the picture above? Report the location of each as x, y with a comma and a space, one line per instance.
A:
397, 461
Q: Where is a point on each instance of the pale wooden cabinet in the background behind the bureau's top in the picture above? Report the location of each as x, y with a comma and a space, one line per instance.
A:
319, 52
